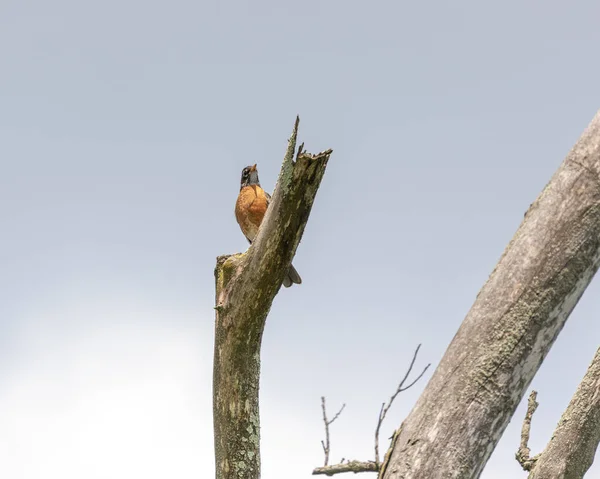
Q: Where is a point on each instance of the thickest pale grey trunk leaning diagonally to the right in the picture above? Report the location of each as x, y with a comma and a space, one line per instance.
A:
517, 315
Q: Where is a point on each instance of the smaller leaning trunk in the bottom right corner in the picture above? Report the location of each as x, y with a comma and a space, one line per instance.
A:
571, 451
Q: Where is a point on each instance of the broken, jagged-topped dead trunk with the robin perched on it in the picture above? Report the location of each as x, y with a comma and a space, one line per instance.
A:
246, 285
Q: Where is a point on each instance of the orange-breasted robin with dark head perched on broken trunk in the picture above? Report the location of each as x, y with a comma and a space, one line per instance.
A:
250, 209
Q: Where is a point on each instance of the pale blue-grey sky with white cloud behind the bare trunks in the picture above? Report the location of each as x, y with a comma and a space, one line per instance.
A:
124, 127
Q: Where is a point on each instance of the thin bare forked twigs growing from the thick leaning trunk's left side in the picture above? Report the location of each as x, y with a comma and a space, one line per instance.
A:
366, 466
